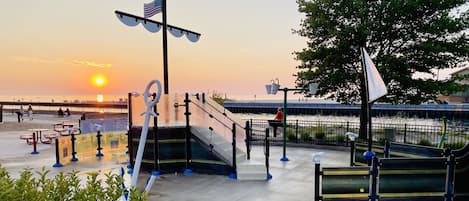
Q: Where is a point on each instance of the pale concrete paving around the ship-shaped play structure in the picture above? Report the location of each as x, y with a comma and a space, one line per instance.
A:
292, 181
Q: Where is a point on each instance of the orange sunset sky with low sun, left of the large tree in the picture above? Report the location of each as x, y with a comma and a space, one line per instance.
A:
53, 47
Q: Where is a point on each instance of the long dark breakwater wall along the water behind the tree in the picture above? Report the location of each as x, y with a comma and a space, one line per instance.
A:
452, 111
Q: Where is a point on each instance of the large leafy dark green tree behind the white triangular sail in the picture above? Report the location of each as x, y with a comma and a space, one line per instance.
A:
403, 37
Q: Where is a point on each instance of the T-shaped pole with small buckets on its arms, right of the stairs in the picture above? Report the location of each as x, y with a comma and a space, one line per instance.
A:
272, 89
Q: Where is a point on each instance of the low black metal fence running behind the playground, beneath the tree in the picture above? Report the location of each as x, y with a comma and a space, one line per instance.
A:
333, 133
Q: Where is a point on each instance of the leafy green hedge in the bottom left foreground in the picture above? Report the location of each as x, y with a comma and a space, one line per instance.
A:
64, 186
